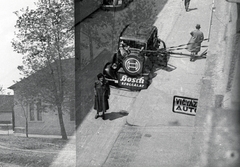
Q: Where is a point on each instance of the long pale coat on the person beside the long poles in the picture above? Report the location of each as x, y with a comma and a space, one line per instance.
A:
194, 44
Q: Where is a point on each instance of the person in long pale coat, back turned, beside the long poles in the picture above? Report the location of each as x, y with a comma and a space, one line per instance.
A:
194, 44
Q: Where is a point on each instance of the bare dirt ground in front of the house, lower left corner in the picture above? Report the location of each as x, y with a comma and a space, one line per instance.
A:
18, 151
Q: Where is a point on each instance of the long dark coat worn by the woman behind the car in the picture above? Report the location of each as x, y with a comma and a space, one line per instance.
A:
102, 92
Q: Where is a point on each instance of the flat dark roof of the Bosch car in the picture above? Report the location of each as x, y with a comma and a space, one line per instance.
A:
141, 33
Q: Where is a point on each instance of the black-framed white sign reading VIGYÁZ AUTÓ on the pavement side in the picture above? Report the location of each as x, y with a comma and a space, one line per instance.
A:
185, 105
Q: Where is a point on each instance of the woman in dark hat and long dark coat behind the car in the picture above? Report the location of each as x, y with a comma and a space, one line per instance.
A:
102, 93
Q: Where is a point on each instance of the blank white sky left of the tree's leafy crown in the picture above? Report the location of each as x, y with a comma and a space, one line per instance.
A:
9, 60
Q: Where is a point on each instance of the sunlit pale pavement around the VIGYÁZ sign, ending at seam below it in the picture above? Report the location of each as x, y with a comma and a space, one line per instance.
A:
154, 105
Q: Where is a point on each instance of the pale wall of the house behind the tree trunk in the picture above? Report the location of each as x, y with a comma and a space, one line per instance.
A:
48, 126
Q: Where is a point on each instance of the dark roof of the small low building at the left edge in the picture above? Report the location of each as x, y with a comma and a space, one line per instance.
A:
6, 103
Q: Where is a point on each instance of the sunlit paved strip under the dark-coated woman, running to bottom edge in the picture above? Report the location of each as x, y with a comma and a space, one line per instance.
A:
95, 137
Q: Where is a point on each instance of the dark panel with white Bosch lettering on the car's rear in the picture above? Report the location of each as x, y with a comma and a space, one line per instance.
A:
132, 83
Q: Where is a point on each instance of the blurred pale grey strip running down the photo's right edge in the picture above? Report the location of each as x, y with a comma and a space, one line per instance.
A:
218, 116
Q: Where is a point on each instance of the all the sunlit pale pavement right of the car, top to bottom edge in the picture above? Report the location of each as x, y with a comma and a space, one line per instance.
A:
166, 136
